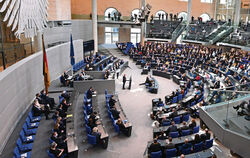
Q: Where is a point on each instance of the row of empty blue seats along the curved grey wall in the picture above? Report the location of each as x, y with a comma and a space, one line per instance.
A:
27, 136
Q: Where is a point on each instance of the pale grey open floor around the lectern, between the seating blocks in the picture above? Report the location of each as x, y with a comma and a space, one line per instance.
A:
137, 104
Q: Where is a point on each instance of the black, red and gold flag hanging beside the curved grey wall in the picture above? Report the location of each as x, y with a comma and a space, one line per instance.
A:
45, 68
